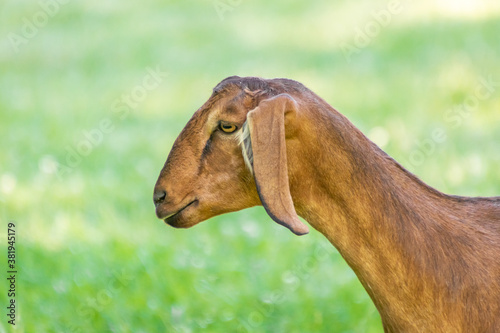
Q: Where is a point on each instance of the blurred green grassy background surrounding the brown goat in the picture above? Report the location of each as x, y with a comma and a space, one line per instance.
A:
85, 128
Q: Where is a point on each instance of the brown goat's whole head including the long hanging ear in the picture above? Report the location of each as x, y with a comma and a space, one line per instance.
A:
205, 173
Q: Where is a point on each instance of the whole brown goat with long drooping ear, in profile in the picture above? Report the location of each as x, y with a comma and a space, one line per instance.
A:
429, 261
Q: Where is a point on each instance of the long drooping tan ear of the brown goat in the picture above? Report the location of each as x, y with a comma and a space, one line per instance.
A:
266, 124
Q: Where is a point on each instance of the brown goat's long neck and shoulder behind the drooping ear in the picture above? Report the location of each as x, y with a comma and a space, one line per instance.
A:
419, 253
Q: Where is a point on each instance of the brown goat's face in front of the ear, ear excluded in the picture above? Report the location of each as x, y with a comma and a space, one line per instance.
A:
205, 173
